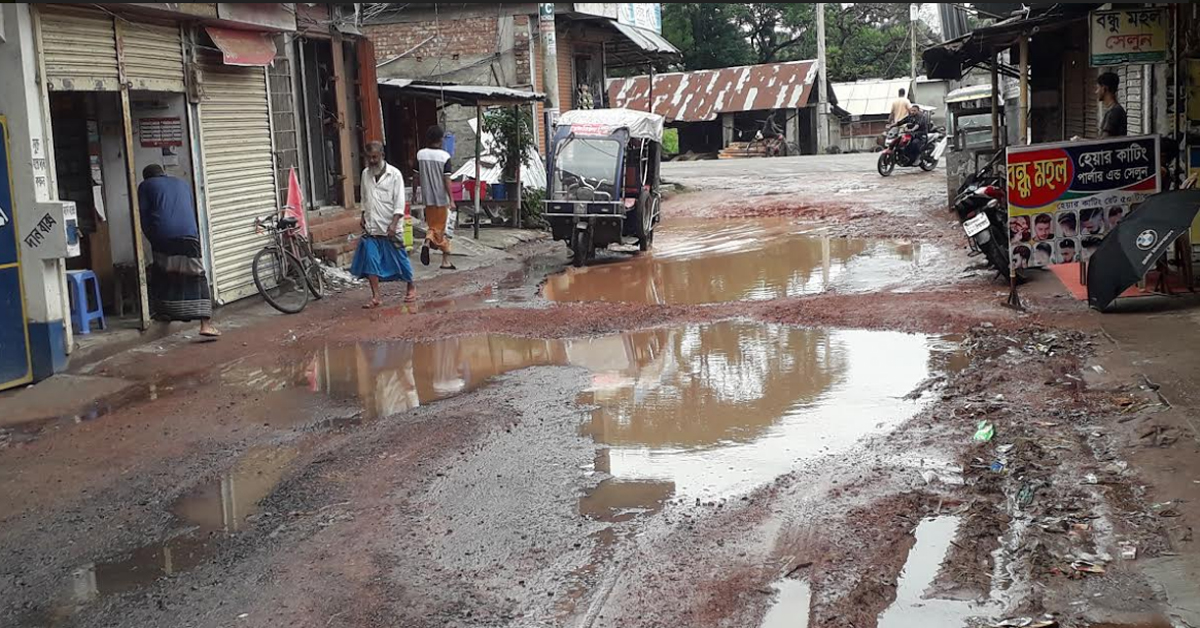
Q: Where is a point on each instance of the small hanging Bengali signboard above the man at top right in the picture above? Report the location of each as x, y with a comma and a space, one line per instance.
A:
1131, 37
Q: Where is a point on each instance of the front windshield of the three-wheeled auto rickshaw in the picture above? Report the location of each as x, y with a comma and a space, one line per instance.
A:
587, 165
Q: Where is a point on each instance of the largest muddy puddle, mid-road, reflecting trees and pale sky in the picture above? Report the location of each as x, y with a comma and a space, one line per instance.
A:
699, 411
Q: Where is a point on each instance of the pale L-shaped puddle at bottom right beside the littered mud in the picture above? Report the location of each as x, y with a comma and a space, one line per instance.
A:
913, 608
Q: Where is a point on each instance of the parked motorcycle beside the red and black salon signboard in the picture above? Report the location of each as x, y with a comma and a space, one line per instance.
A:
982, 208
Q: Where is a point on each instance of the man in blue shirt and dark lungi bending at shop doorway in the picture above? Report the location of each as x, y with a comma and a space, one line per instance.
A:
179, 286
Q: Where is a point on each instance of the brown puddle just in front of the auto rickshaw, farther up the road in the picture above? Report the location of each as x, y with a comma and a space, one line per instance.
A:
705, 262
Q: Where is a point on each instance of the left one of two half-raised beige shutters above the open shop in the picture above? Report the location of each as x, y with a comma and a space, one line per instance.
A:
79, 50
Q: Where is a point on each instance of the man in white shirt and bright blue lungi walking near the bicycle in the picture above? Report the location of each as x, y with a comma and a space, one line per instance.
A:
379, 259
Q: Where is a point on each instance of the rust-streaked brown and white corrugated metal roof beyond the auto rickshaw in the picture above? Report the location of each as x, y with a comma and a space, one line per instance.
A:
706, 94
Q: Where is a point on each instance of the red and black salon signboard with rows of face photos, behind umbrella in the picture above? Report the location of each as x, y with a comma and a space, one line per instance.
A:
1065, 199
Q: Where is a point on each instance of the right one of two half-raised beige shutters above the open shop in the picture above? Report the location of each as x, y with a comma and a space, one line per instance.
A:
154, 57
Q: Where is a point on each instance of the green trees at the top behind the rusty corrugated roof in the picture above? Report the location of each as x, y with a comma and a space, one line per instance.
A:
863, 40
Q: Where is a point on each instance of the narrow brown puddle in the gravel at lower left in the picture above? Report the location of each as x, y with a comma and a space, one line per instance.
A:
218, 509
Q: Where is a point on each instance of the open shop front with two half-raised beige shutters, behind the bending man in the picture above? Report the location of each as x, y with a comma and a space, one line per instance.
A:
117, 104
